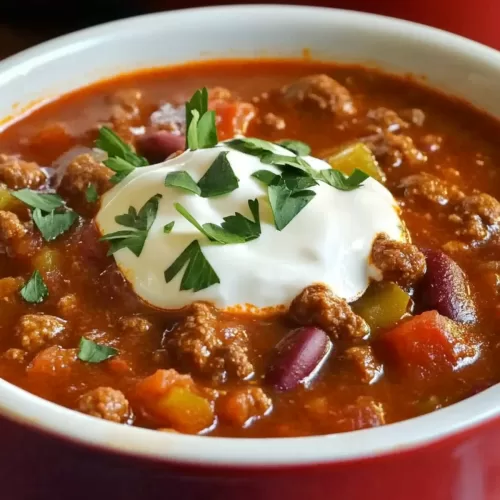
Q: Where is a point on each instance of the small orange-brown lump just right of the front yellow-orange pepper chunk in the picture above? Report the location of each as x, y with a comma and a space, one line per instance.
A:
243, 406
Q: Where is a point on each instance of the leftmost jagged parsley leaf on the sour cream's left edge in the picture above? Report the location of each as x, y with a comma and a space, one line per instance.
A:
134, 239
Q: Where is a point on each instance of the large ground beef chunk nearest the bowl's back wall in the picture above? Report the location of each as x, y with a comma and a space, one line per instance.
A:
319, 91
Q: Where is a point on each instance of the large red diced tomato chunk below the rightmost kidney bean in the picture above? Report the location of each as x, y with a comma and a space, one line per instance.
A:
428, 344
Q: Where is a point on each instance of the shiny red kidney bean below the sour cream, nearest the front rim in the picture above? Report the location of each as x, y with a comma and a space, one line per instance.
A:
296, 357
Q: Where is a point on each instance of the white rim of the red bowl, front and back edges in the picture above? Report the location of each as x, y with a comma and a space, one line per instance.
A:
32, 411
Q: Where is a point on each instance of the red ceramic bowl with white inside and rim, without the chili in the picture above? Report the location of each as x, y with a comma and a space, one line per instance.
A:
52, 452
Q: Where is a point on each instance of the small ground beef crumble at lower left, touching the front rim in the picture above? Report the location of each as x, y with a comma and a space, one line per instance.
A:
106, 403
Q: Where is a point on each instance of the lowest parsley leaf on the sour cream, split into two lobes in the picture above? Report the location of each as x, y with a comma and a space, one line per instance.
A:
199, 274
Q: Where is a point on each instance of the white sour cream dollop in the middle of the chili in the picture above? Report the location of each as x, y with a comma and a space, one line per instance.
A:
329, 241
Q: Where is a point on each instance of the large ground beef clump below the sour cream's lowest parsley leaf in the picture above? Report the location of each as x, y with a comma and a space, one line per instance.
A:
204, 344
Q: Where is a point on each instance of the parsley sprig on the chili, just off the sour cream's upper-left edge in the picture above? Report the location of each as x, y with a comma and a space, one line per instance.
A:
121, 157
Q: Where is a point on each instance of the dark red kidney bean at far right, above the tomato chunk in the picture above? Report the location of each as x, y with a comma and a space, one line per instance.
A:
445, 289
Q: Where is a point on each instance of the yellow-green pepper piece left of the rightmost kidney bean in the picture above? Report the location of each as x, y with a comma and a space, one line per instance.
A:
382, 305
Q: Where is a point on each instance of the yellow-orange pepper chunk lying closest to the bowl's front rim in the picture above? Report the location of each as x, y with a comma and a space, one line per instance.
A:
185, 411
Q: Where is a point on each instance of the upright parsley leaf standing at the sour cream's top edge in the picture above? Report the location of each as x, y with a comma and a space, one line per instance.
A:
201, 131
